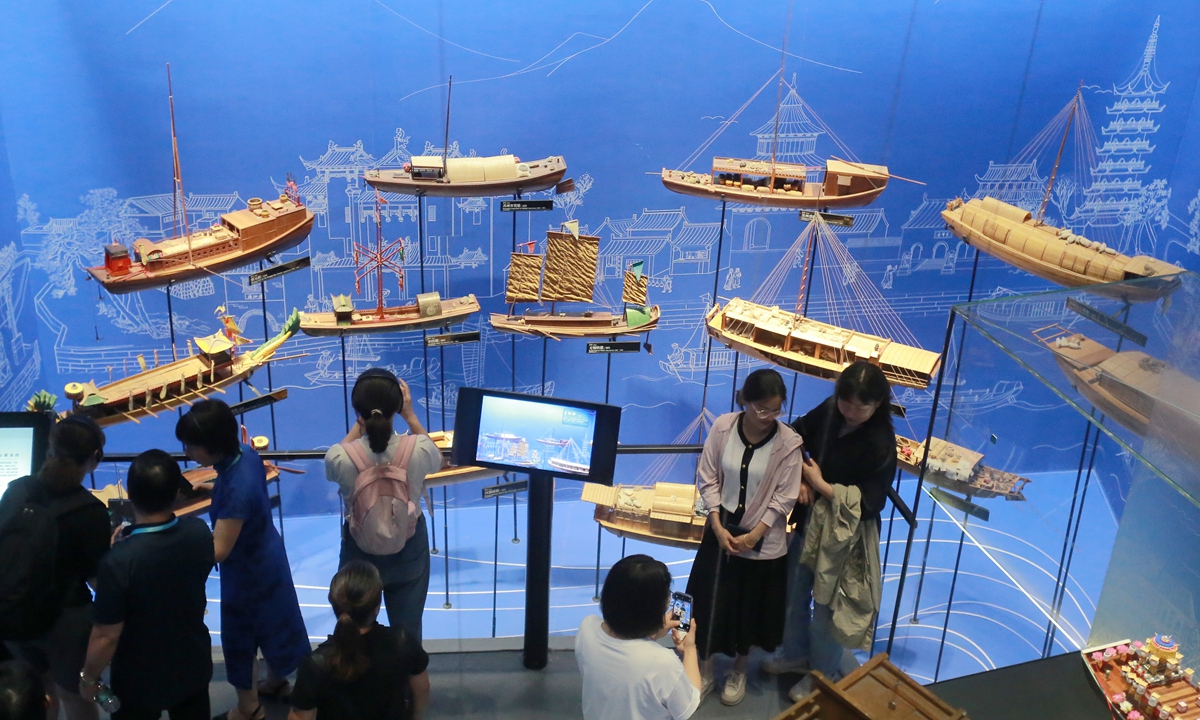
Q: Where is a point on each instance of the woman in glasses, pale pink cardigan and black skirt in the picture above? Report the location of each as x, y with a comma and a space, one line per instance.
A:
749, 478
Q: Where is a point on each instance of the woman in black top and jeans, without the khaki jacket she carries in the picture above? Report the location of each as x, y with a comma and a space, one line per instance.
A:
853, 443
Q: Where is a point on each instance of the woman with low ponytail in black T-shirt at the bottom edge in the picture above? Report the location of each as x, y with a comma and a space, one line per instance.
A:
363, 671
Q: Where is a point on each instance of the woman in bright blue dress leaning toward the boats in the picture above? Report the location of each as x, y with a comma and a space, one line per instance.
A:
259, 602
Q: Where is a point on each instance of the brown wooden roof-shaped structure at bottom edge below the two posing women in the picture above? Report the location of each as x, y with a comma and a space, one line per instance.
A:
878, 691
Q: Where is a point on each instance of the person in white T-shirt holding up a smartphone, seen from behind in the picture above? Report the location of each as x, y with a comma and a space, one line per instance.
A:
627, 674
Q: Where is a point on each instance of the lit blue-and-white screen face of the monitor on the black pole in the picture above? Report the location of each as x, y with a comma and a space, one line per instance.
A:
536, 435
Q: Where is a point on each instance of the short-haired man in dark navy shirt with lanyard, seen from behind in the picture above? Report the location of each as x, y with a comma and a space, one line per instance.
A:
149, 613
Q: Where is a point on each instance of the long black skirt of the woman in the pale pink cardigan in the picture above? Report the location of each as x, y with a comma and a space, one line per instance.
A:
737, 603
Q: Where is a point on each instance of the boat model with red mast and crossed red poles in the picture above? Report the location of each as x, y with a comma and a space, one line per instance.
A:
429, 311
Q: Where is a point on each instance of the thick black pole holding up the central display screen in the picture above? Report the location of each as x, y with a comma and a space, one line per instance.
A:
542, 514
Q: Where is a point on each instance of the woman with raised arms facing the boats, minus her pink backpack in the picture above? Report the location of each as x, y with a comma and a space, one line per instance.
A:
377, 399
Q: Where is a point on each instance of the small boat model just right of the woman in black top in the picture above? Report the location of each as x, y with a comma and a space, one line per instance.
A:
959, 470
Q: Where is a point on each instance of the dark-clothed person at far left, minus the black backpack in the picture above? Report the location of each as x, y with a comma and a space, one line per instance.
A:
76, 448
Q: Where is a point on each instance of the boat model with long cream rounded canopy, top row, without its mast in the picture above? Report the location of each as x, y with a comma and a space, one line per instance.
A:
470, 177
